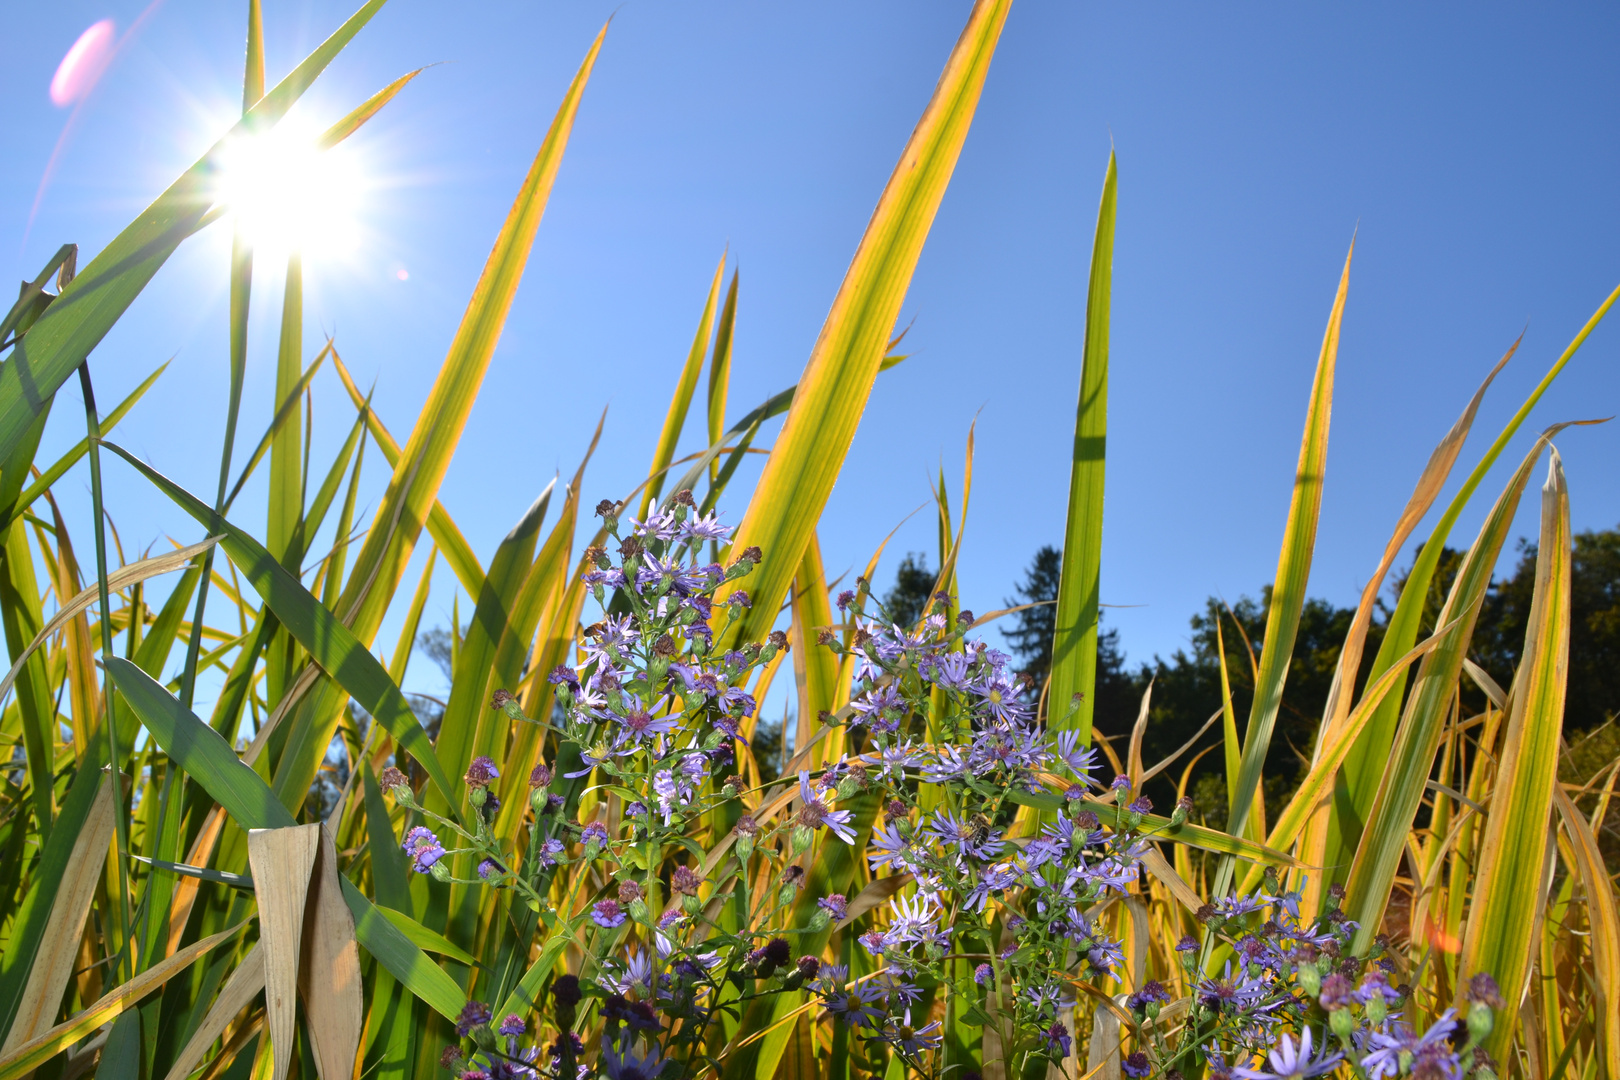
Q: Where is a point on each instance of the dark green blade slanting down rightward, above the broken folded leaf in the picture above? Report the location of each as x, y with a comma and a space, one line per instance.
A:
328, 640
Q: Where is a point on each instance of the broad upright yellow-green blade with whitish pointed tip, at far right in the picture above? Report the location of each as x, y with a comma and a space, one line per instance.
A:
1514, 848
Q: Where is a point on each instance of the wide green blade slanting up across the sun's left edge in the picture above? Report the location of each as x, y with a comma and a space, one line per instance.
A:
98, 297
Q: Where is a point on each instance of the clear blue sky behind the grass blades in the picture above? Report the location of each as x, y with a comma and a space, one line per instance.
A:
1473, 147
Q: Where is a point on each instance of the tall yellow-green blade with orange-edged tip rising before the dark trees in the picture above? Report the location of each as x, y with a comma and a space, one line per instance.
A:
1294, 572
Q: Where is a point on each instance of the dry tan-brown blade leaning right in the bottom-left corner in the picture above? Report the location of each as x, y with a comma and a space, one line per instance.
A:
61, 945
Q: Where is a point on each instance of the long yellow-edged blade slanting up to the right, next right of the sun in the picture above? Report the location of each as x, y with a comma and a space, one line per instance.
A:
427, 454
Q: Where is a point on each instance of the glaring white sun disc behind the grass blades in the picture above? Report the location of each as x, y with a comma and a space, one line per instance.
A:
291, 195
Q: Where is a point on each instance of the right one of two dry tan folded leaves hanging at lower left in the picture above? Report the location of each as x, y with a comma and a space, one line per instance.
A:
330, 971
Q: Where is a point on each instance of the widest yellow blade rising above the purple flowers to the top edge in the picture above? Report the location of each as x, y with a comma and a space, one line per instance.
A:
838, 378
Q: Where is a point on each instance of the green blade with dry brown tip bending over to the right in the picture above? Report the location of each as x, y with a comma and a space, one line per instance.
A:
1423, 721
